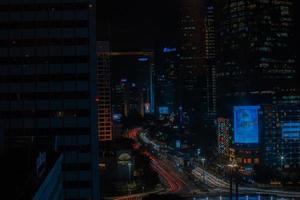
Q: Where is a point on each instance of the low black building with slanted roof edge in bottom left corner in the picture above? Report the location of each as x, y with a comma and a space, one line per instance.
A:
31, 171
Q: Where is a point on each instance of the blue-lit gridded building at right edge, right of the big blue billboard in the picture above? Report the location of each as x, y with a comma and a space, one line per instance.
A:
280, 127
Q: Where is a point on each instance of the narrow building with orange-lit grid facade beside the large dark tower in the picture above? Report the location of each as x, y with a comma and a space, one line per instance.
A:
104, 92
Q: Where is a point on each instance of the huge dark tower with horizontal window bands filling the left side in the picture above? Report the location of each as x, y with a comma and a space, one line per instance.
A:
48, 84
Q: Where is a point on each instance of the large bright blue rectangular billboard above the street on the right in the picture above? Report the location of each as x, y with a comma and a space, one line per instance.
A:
246, 124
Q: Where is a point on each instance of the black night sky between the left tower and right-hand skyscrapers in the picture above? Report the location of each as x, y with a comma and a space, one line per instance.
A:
136, 24
